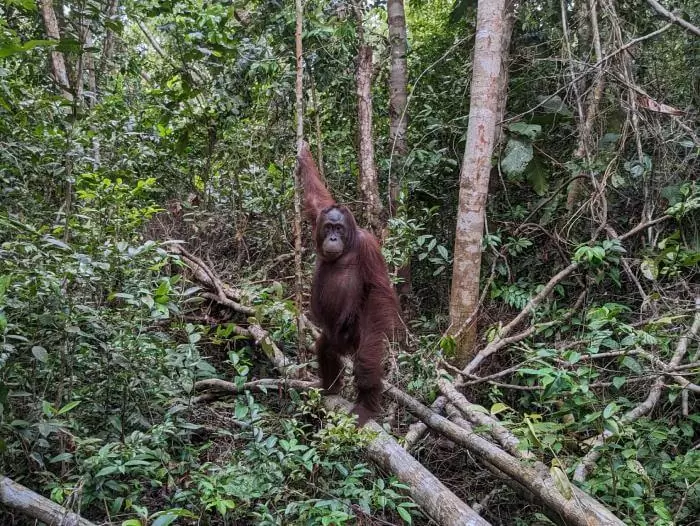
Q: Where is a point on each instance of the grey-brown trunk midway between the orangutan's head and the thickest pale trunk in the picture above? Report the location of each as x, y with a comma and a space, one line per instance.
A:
398, 81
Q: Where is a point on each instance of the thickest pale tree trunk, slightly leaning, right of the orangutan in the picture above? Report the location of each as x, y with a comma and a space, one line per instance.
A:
474, 175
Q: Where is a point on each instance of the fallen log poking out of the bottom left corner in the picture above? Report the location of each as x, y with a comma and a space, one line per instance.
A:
30, 503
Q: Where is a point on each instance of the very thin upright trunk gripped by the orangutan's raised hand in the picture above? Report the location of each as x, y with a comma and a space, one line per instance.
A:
297, 178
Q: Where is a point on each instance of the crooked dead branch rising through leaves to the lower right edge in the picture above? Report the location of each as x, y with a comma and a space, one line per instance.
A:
589, 460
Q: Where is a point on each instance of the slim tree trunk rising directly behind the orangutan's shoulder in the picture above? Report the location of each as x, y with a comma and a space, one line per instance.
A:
369, 188
